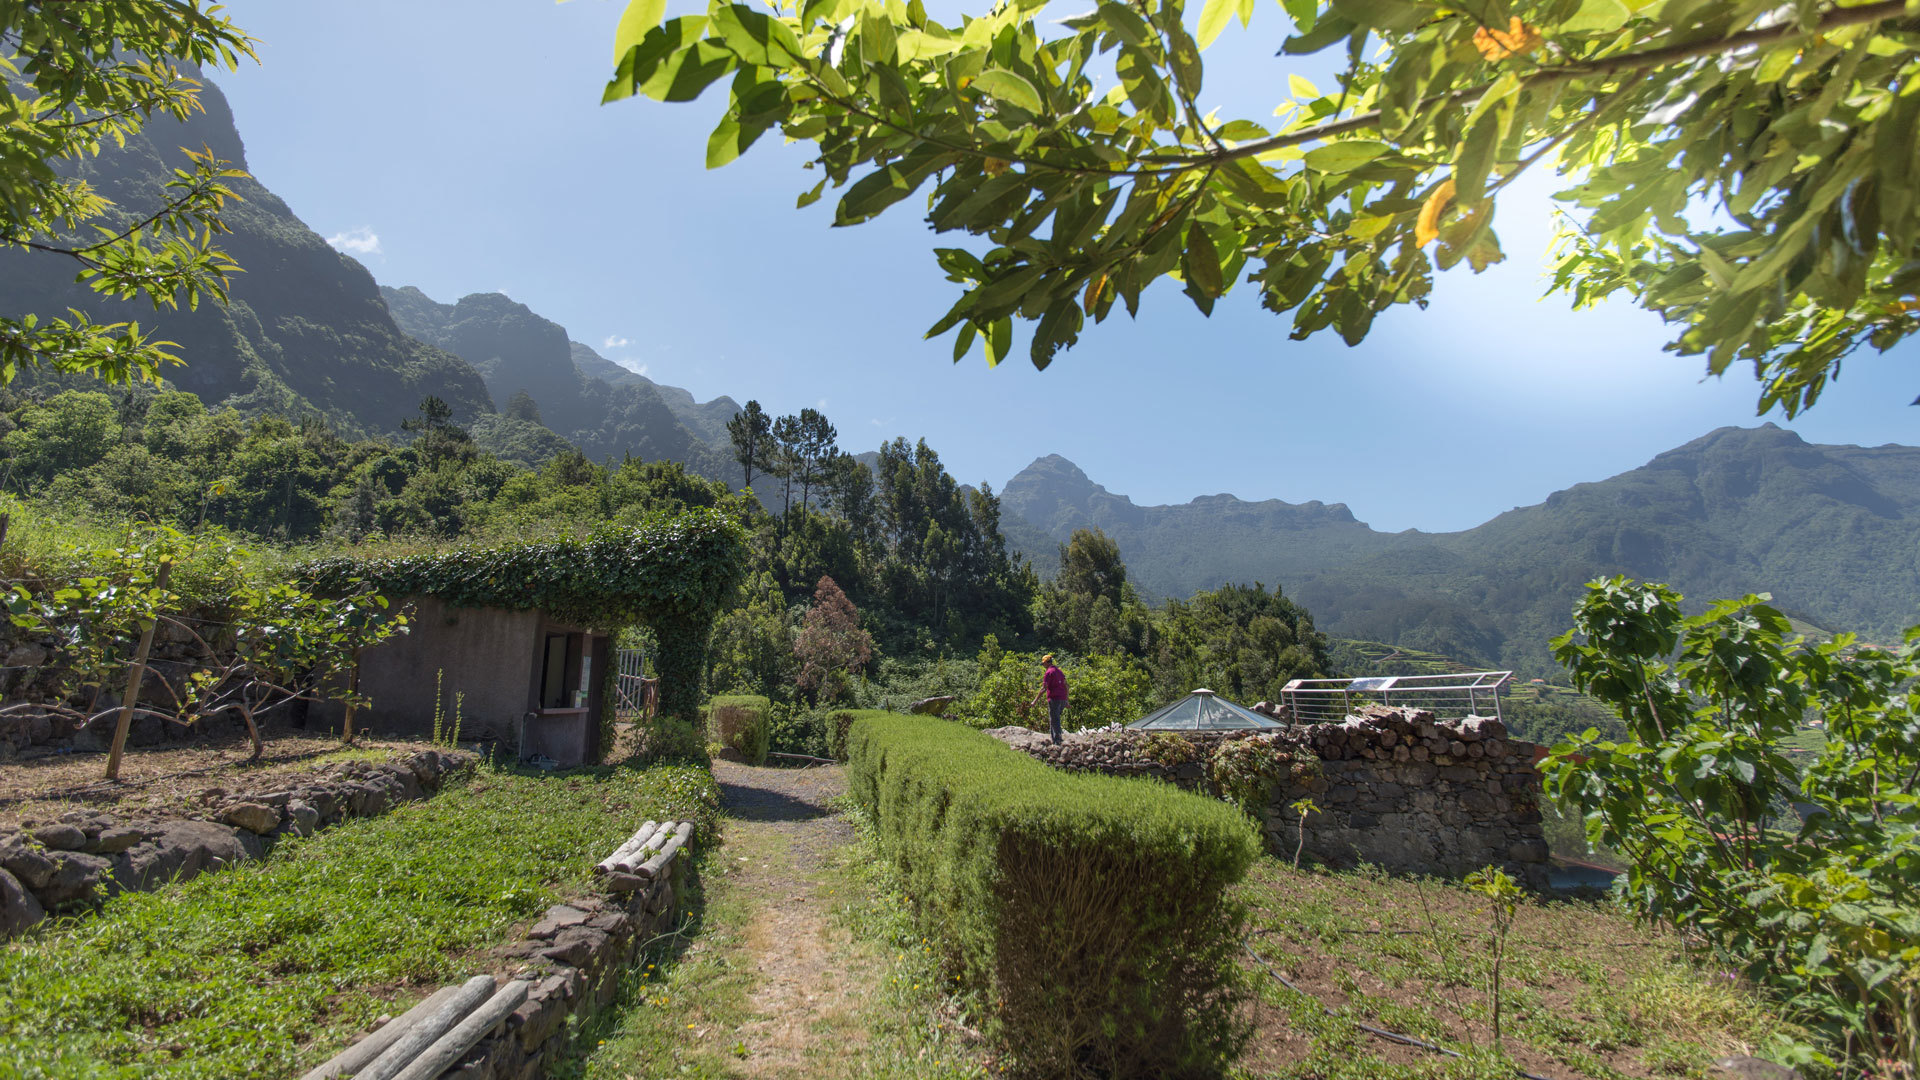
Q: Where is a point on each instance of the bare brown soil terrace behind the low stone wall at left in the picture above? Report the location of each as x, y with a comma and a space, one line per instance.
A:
168, 781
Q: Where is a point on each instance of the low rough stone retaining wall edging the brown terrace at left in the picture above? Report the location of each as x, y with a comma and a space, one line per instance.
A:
74, 864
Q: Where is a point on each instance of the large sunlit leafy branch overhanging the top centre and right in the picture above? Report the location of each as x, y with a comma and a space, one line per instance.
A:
1794, 124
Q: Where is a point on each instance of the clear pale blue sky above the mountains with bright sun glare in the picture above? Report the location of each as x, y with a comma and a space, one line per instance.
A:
460, 147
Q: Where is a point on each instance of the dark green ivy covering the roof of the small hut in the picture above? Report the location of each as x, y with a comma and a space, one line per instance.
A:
669, 568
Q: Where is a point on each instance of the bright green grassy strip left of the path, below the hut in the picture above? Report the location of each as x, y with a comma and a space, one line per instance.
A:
270, 968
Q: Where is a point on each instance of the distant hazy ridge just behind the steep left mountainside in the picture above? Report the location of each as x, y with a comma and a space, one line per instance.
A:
606, 414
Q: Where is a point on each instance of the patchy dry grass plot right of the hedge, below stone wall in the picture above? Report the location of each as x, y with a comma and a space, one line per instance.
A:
1589, 993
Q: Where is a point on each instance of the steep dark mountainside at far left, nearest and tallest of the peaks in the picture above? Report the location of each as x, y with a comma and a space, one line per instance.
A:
306, 330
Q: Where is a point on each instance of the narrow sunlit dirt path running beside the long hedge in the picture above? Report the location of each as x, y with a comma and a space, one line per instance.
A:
780, 837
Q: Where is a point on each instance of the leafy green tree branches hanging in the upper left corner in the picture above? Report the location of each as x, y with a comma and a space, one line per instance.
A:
76, 78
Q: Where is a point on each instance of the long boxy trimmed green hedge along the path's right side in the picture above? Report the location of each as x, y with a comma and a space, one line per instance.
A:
1092, 914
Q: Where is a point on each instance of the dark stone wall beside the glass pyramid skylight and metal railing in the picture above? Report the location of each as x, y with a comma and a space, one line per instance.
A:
1395, 789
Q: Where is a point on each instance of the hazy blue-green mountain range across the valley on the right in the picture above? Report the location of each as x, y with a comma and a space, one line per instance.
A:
1831, 531
